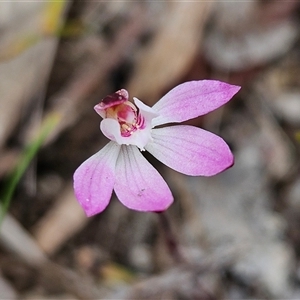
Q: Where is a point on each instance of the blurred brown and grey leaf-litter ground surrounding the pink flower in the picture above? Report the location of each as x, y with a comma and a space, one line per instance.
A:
238, 231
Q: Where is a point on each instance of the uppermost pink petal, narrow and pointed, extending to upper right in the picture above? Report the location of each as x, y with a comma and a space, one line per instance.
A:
192, 99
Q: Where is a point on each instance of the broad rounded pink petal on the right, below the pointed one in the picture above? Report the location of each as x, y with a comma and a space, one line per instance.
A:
190, 150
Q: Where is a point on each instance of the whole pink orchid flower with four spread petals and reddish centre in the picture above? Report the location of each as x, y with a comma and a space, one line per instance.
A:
120, 166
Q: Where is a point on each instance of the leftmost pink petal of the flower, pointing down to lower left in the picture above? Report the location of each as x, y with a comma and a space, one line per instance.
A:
94, 179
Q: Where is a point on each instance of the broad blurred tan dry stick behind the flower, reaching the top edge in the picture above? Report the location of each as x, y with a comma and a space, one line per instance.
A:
172, 50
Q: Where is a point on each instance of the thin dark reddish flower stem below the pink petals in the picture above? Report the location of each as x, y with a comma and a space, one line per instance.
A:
170, 238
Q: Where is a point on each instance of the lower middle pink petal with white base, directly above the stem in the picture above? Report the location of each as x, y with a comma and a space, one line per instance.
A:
138, 185
